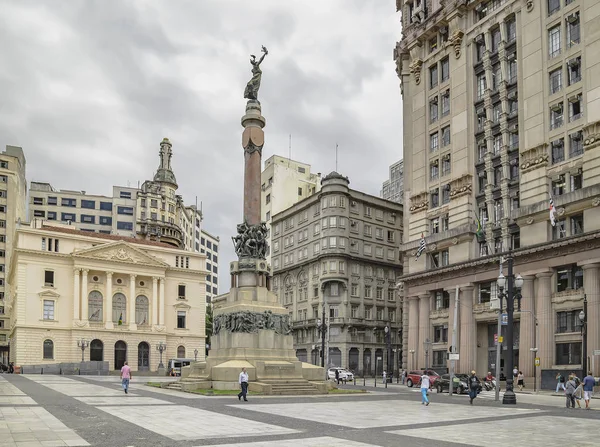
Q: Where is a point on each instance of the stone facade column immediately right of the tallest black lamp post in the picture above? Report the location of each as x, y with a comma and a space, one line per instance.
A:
527, 327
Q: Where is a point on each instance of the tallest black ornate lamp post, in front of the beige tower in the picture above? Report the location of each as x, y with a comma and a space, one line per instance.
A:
509, 394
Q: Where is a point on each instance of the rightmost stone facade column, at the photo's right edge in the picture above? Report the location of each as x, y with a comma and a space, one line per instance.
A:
591, 285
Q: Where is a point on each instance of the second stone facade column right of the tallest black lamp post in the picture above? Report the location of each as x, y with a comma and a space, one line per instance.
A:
545, 315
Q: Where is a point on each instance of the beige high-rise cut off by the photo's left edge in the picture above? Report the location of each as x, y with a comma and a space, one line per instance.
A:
13, 199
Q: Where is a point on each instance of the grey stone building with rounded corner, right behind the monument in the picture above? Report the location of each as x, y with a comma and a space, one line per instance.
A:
338, 251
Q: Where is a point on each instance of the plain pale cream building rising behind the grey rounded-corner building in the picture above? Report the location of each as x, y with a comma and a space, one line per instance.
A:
284, 183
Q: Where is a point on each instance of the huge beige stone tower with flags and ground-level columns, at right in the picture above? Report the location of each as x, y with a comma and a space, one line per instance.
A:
501, 107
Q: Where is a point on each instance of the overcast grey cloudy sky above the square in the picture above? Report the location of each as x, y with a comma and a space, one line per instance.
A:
89, 88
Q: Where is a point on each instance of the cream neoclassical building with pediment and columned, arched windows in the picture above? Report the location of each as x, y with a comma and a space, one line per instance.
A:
122, 295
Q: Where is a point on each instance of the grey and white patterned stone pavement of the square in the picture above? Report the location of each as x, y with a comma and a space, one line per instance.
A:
49, 410
